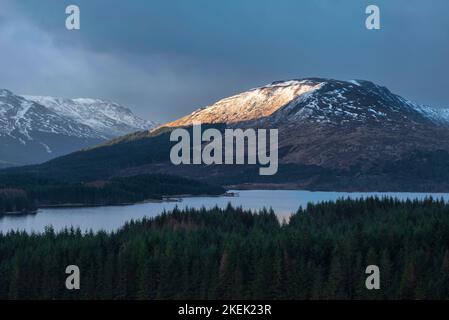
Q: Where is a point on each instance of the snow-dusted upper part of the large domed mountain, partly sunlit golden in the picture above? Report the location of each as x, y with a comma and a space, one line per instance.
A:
314, 100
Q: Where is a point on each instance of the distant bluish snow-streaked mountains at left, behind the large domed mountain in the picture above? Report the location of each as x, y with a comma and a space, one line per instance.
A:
36, 129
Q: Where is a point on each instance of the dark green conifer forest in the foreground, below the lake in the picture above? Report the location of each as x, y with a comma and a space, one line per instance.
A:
320, 253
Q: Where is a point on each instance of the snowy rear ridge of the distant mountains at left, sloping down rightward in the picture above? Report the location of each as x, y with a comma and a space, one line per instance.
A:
108, 118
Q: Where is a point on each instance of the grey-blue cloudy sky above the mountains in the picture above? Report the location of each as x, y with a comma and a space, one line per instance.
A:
167, 58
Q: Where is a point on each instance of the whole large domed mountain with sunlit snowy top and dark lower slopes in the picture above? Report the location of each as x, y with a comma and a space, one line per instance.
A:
333, 135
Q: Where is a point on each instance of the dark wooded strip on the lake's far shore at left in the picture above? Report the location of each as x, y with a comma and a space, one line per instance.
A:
25, 193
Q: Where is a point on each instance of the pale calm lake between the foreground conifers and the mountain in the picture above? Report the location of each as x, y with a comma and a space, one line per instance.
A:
284, 203
